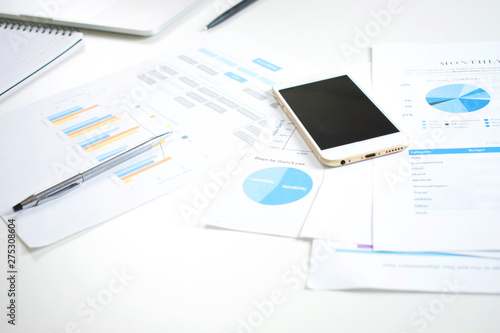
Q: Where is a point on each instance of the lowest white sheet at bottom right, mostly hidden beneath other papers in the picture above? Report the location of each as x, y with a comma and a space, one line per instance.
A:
342, 267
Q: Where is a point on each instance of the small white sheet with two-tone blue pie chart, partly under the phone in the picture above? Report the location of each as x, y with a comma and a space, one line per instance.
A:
272, 189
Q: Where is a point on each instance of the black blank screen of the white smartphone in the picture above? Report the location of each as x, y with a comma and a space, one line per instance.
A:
336, 112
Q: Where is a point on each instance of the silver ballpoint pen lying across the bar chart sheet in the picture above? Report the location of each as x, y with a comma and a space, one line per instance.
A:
74, 182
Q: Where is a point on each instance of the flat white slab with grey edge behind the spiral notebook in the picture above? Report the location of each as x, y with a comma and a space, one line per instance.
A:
136, 17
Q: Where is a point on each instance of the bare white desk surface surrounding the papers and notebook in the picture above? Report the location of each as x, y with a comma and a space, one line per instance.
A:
187, 278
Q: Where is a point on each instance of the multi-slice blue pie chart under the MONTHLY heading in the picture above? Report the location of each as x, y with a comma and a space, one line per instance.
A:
458, 98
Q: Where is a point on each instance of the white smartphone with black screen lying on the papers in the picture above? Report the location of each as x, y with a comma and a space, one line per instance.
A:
340, 123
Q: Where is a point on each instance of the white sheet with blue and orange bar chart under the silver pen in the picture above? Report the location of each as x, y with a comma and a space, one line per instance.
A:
214, 96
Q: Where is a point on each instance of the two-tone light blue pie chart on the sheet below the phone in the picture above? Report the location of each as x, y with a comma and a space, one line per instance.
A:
277, 185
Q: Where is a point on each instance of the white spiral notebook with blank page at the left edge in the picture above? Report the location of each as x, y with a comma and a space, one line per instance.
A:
28, 49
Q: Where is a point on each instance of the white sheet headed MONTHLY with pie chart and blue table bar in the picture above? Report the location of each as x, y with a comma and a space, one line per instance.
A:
443, 193
